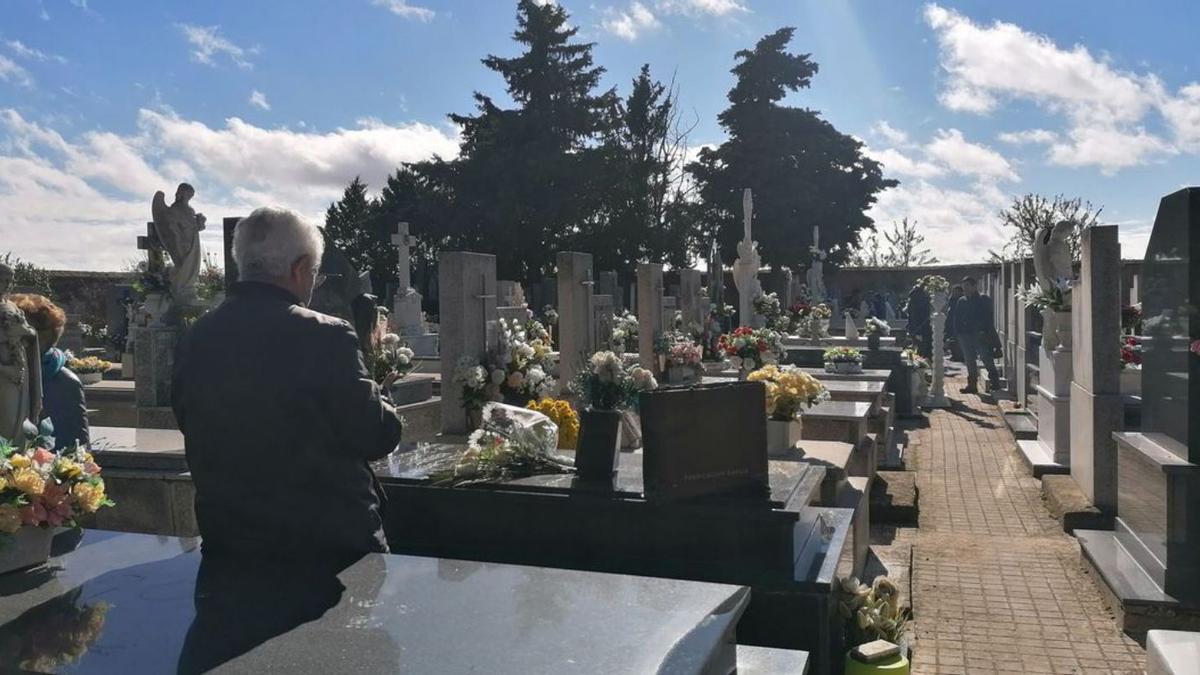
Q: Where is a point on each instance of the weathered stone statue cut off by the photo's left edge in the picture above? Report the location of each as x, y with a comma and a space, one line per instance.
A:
21, 373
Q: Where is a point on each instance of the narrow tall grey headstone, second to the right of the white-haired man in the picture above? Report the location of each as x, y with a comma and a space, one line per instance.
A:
575, 332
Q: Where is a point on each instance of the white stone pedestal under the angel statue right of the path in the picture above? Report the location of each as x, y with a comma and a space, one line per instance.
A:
1051, 452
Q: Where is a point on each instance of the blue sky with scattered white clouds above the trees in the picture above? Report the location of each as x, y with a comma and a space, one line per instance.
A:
967, 104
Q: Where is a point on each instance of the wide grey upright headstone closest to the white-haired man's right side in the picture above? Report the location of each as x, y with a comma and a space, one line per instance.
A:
467, 302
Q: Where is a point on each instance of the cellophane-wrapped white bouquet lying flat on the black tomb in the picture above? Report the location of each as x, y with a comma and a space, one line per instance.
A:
511, 444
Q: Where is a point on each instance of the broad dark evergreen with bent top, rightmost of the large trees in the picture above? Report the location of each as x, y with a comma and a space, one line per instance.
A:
802, 170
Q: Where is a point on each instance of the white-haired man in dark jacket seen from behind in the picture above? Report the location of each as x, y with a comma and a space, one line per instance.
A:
279, 413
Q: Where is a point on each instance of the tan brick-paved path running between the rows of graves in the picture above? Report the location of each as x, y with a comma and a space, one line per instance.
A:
997, 584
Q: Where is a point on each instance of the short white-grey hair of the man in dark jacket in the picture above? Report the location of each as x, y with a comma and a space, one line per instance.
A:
268, 241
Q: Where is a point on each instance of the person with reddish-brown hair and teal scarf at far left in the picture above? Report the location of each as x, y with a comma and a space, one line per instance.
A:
63, 397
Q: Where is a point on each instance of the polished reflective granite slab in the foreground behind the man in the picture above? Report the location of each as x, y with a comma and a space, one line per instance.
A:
135, 604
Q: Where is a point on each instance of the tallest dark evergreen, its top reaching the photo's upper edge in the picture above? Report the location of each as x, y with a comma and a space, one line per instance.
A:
527, 178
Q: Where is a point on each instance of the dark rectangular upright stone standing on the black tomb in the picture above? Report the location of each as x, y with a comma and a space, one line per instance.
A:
705, 440
